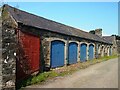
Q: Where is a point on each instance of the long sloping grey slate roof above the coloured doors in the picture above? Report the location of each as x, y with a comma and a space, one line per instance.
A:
43, 23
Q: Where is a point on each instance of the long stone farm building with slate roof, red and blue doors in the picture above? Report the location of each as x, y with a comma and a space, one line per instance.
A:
32, 43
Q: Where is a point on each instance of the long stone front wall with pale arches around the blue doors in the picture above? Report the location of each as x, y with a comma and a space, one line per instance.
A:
47, 37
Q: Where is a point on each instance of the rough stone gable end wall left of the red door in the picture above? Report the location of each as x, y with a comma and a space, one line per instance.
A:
9, 55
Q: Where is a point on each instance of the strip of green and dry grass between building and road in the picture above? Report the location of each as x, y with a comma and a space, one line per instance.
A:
41, 77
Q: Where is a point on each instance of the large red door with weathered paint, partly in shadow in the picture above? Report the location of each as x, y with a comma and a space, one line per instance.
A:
29, 60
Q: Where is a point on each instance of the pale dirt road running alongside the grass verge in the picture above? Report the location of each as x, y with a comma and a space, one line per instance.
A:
101, 75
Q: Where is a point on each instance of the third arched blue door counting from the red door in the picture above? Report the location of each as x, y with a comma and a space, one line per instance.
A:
83, 54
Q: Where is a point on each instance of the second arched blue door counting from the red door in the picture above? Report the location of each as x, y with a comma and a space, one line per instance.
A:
72, 53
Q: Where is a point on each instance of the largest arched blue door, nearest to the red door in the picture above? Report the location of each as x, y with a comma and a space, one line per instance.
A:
57, 54
